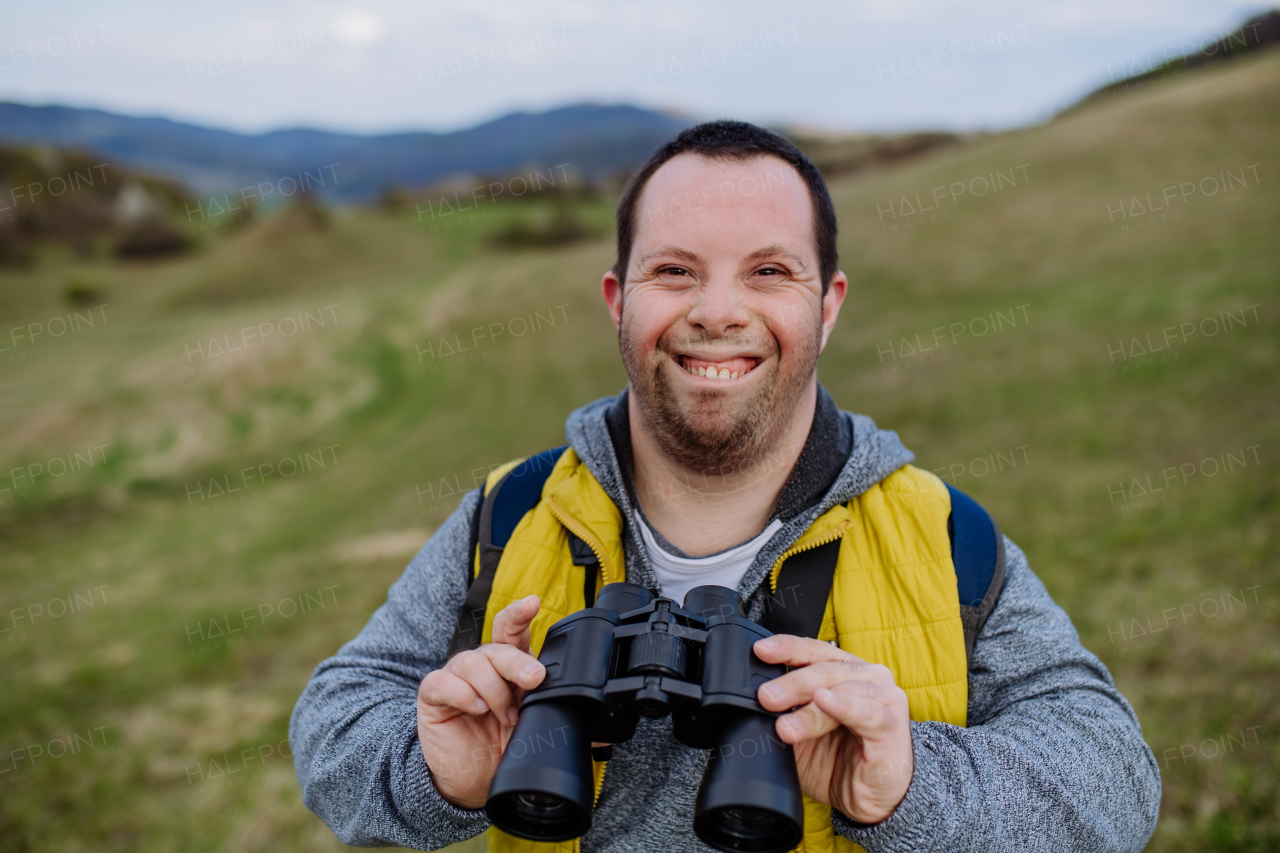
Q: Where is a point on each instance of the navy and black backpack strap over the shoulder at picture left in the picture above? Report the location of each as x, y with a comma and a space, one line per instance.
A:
504, 507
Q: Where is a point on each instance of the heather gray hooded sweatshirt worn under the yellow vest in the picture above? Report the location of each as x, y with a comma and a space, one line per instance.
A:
1053, 758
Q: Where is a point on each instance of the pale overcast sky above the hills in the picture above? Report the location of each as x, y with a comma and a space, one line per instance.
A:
392, 66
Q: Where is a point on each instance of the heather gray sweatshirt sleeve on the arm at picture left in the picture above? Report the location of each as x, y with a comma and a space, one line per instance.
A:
354, 731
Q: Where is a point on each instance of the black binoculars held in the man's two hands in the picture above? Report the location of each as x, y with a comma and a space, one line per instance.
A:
636, 655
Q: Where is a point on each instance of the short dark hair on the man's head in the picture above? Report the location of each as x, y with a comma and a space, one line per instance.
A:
726, 140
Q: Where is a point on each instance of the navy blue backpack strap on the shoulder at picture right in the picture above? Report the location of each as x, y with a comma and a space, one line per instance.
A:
979, 555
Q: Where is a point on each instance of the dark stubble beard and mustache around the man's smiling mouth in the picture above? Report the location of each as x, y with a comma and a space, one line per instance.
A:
719, 434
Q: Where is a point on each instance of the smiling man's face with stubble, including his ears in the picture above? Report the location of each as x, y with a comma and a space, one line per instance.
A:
723, 317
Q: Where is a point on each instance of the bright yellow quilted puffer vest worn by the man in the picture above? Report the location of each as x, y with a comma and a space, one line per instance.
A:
893, 599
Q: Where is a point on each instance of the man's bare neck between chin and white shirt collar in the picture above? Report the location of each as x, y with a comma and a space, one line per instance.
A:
702, 514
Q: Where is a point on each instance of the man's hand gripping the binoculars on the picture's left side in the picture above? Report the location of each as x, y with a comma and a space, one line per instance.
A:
468, 710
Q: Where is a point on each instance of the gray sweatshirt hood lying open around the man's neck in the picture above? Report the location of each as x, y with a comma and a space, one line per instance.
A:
876, 454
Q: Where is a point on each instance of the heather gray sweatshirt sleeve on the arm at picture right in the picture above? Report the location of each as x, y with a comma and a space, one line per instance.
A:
1053, 758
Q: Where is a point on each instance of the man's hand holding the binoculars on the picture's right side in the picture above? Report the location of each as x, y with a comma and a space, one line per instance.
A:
852, 731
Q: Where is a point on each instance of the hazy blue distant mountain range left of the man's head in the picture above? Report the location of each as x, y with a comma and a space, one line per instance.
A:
593, 140
